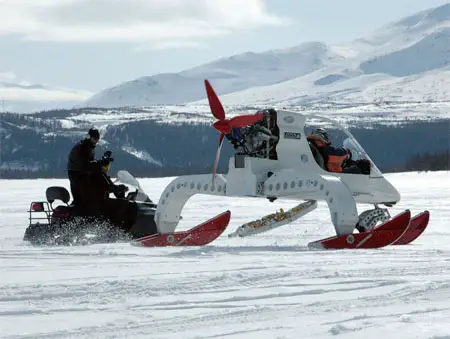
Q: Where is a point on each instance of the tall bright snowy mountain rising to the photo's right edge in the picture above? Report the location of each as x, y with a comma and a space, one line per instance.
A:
408, 60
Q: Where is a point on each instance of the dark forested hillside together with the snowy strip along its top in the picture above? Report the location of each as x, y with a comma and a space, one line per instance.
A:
173, 140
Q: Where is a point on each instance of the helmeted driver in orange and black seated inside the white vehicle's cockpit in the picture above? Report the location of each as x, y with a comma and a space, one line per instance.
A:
335, 159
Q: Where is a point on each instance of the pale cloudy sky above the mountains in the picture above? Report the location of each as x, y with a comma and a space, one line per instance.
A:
93, 44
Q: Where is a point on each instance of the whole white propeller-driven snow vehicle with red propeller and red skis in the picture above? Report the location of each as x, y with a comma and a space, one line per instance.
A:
273, 159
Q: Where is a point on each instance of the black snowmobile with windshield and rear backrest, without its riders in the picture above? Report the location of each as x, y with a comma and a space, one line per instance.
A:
61, 225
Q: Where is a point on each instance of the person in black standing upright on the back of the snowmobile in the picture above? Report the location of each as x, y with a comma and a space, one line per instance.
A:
81, 167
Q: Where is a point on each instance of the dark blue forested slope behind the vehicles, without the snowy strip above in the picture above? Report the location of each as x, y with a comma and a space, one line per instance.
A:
36, 146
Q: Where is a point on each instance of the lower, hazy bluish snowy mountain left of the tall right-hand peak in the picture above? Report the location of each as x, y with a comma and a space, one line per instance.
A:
229, 74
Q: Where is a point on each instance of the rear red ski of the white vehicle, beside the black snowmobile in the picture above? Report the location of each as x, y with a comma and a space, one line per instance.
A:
200, 235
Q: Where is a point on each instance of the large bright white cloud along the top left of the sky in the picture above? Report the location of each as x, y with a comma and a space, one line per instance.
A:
138, 21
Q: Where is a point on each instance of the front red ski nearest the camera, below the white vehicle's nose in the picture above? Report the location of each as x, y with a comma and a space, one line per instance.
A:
381, 236
